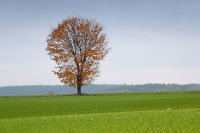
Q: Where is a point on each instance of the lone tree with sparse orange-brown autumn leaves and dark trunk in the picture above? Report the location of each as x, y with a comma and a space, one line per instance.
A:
77, 45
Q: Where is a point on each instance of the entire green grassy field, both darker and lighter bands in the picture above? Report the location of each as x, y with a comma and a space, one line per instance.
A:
133, 112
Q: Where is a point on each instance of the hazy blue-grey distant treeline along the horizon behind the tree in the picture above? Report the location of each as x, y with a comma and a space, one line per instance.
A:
93, 88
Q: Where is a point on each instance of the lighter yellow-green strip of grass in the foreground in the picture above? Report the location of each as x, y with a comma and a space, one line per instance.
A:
153, 121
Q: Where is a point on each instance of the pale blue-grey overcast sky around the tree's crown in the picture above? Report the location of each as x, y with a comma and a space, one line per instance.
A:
152, 41
